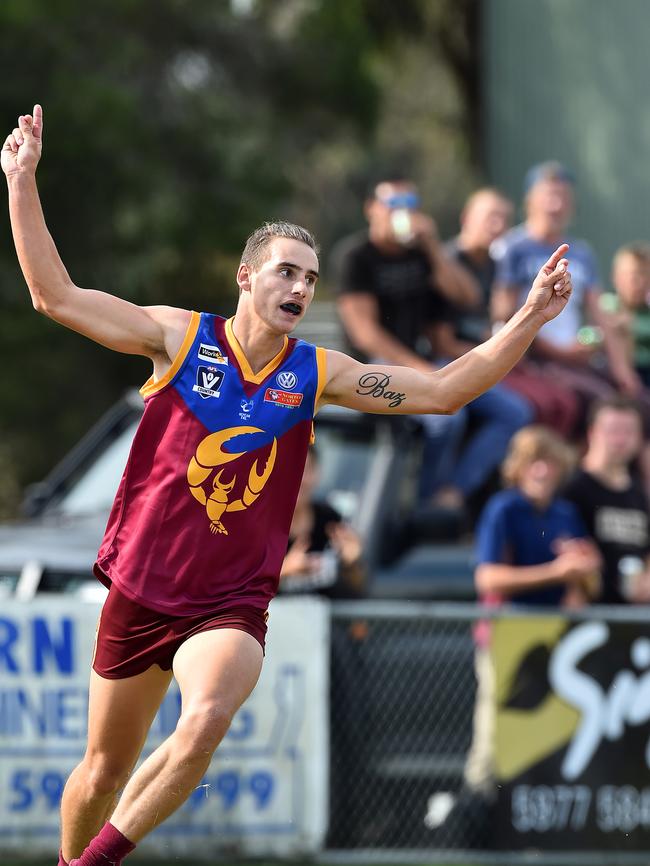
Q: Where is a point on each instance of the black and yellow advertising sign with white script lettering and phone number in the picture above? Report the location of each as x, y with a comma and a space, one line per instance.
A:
572, 751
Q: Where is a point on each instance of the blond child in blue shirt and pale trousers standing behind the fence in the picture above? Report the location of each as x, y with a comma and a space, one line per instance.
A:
531, 551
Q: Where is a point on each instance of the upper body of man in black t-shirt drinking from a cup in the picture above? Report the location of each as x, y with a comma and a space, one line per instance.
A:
394, 280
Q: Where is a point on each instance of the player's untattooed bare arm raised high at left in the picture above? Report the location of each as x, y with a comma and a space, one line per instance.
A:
156, 332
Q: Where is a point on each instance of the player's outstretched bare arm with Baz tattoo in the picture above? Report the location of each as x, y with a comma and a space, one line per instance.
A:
402, 390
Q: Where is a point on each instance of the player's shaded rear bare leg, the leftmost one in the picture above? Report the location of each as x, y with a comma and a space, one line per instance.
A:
119, 715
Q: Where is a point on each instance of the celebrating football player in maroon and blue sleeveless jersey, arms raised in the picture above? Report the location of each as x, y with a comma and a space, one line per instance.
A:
199, 528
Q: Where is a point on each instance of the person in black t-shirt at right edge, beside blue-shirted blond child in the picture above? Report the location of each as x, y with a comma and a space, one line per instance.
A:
612, 501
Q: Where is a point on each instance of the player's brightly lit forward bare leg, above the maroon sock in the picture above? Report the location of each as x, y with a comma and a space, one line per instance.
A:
216, 671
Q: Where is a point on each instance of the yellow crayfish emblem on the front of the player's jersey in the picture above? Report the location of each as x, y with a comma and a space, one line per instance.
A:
209, 454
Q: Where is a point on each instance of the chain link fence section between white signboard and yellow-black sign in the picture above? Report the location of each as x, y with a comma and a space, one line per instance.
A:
402, 697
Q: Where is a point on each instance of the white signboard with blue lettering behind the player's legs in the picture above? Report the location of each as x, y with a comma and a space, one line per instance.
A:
266, 791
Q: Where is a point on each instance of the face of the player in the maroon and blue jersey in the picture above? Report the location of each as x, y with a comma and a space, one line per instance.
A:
282, 287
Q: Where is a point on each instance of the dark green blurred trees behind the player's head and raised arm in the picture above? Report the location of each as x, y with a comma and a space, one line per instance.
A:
173, 128
